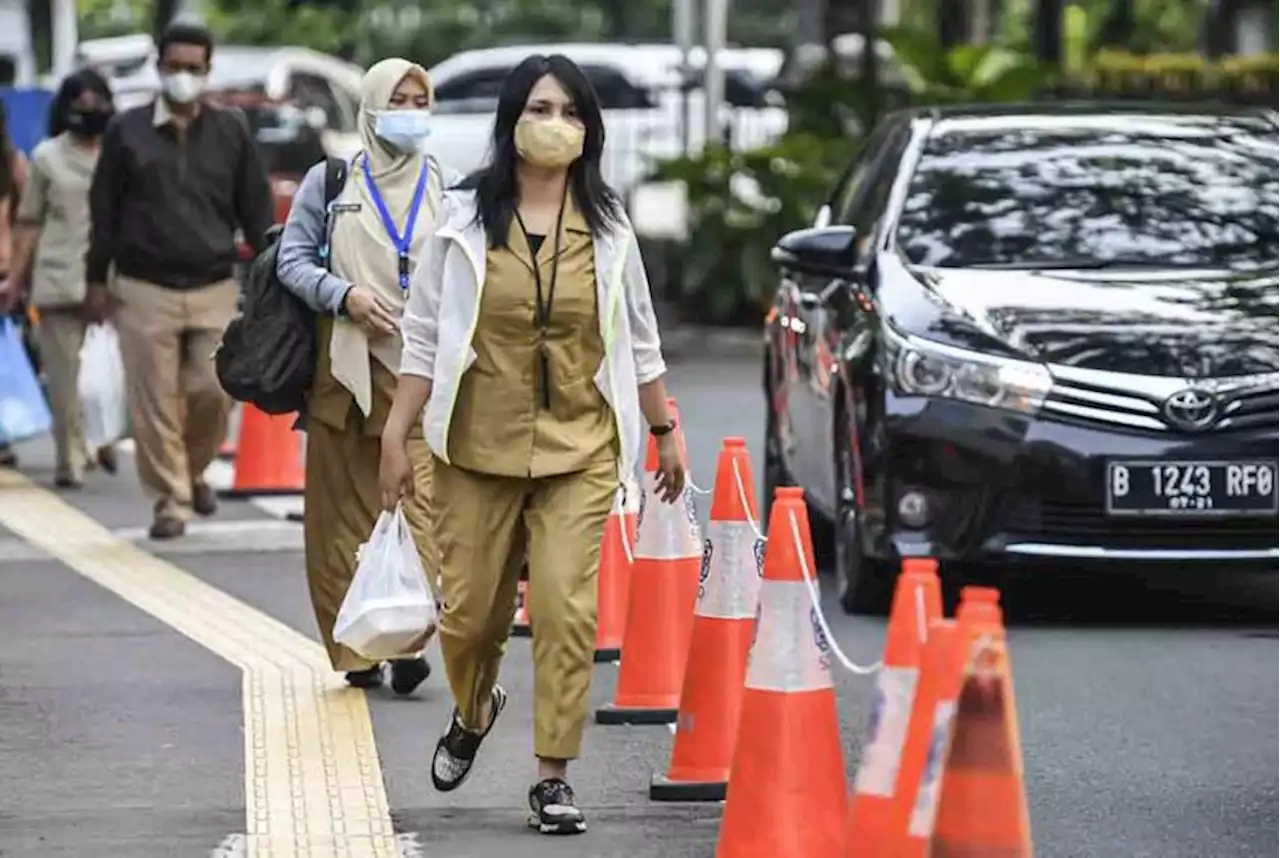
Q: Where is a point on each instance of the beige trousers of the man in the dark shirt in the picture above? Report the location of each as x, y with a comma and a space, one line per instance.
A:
177, 407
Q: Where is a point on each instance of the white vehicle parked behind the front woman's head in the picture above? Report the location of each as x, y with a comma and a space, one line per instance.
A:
641, 89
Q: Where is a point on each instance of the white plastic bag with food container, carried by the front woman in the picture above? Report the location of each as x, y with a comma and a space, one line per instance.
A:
390, 605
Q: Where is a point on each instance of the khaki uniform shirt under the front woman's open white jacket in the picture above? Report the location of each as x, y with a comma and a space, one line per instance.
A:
500, 425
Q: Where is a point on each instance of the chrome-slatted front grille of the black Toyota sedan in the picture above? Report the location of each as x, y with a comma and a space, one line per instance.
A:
1104, 399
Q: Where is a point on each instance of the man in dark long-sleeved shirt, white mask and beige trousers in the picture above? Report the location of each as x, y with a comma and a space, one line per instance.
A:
173, 182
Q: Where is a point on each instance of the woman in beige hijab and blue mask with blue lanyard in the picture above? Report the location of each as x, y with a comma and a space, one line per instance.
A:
353, 270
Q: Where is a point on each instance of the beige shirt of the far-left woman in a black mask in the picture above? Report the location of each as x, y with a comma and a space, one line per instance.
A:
57, 200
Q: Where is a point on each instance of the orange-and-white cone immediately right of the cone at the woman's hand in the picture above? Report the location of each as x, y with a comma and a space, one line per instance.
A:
721, 643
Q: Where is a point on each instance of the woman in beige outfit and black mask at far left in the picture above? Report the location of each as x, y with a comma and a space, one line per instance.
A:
49, 247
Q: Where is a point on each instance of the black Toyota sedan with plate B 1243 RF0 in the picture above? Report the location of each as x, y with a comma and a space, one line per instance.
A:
1036, 335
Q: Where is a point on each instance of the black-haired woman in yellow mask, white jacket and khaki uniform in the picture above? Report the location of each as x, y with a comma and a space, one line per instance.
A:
531, 341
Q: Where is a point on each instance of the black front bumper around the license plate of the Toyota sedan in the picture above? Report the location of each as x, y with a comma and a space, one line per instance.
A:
1008, 489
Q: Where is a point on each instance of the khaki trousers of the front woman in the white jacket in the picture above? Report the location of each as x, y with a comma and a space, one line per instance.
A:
484, 527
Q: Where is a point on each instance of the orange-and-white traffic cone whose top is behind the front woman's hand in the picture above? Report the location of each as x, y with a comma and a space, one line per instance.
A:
661, 599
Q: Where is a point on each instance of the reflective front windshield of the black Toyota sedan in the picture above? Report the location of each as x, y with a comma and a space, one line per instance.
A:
1200, 193
